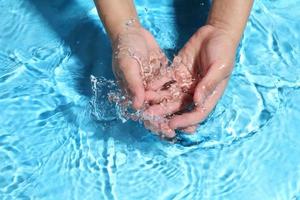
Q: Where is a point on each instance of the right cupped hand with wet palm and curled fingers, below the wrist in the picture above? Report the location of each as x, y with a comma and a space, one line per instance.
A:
201, 72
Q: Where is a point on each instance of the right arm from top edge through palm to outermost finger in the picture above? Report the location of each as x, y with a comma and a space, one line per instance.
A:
212, 50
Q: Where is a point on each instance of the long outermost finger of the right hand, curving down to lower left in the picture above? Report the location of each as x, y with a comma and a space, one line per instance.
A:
200, 112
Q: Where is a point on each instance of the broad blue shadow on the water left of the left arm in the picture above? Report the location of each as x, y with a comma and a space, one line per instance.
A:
88, 43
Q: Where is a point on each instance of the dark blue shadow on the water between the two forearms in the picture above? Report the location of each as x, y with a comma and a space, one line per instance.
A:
189, 16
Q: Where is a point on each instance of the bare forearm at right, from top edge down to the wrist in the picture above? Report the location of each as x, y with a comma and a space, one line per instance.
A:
230, 16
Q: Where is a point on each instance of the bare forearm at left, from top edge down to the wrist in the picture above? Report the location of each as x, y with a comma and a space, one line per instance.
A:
114, 15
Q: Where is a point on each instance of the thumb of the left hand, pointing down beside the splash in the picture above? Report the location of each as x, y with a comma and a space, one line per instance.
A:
131, 70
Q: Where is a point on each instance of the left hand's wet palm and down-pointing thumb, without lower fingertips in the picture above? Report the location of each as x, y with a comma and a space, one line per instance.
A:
137, 57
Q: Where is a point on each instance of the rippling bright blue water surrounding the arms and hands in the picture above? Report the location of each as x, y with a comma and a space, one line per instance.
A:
61, 139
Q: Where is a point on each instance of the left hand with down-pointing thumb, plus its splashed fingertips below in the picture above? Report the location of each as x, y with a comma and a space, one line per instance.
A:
137, 61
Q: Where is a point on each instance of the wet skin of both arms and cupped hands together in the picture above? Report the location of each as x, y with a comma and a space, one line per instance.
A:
207, 58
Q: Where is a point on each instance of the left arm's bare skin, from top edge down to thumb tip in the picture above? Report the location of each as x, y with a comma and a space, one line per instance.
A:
115, 14
